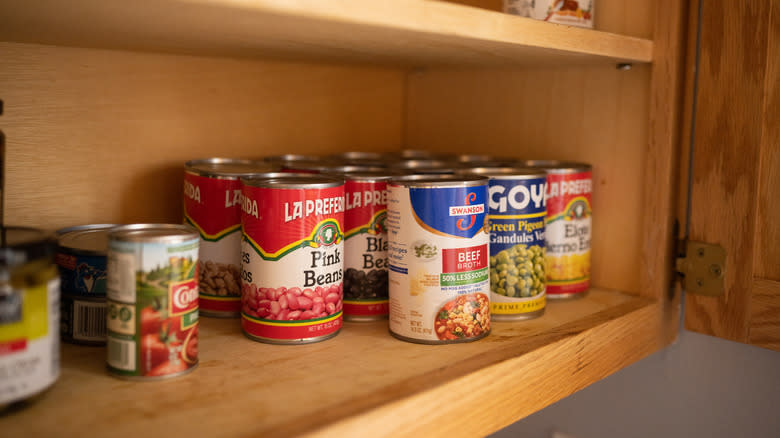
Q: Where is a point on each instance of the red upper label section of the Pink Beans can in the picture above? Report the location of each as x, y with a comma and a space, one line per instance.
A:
279, 220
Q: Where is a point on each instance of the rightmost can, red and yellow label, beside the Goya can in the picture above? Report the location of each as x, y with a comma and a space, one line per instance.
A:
568, 233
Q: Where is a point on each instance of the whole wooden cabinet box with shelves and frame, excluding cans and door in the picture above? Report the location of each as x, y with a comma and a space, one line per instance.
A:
104, 101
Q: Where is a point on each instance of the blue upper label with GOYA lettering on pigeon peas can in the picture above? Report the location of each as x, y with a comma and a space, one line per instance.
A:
517, 213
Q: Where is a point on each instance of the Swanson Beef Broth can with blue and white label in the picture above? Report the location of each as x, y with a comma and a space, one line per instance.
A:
438, 254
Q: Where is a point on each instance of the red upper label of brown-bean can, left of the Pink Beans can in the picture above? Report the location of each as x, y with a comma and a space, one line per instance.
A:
212, 205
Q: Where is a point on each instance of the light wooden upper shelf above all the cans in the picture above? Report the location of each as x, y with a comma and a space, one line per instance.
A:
406, 32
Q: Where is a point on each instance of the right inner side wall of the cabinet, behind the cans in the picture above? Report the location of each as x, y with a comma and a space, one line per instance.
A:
592, 114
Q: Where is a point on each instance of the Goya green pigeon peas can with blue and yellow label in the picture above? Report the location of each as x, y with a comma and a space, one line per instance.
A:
517, 212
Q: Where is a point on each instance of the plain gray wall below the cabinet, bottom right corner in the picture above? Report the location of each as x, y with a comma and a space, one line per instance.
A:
700, 386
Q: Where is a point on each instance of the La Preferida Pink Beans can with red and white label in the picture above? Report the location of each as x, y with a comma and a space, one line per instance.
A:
292, 257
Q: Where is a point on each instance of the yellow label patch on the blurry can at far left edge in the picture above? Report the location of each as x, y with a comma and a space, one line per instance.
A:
35, 316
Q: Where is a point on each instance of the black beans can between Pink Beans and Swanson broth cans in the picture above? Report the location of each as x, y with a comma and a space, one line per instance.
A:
365, 246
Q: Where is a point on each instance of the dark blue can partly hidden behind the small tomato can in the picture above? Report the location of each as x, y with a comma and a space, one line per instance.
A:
81, 258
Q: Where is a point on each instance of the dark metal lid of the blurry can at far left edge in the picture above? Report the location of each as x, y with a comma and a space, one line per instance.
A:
19, 245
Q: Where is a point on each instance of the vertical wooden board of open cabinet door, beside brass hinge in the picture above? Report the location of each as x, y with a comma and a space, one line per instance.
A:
732, 78
